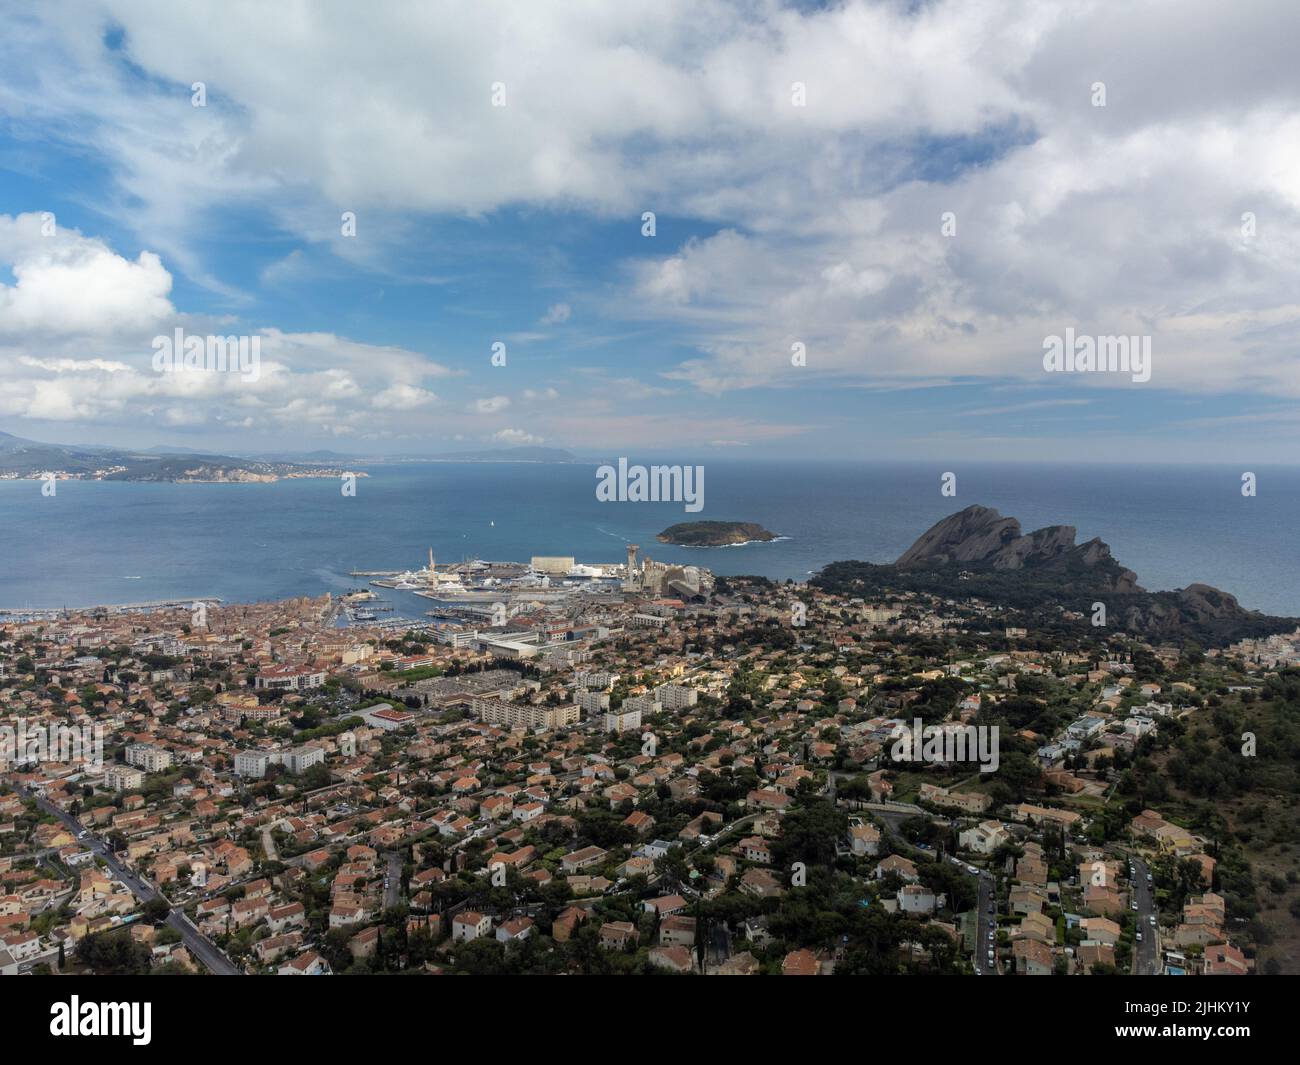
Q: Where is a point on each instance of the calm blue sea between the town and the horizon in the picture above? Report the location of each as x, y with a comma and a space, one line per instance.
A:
99, 543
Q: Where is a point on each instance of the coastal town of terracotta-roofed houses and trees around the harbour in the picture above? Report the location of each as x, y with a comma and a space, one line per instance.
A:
656, 772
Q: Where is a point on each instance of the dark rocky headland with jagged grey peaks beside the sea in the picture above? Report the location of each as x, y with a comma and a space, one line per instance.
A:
980, 555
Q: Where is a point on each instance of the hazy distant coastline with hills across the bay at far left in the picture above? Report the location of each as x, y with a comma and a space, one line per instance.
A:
28, 458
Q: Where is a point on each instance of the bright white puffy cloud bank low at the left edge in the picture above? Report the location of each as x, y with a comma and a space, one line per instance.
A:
76, 345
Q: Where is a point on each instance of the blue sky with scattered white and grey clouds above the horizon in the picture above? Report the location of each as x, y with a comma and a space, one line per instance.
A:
868, 222
